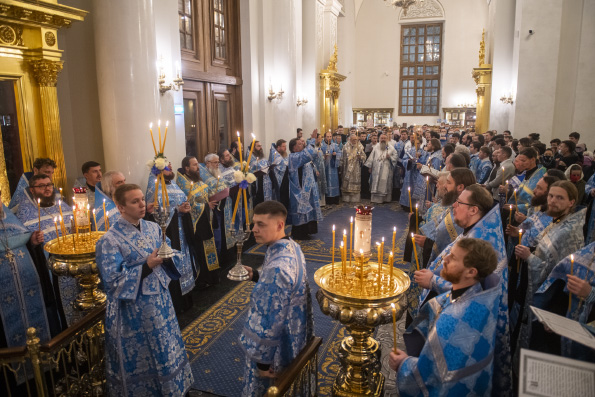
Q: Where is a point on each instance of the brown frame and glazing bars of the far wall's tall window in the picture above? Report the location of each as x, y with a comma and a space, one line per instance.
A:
416, 64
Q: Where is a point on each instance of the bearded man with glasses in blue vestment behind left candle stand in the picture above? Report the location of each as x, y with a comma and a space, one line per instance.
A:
30, 213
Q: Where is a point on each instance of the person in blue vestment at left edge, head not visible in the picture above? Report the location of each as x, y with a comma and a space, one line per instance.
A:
27, 296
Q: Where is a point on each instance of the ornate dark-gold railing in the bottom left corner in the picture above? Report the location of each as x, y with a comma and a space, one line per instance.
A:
71, 364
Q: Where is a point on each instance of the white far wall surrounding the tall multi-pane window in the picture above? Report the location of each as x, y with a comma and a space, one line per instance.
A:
378, 31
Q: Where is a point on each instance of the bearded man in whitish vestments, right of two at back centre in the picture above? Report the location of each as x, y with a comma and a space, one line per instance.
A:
381, 164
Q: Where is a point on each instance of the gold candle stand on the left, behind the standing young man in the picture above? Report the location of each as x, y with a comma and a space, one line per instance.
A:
73, 255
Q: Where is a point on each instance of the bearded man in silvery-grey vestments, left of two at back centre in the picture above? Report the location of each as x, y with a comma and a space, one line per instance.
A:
353, 157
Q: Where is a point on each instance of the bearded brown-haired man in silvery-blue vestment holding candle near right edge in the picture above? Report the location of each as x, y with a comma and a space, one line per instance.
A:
561, 238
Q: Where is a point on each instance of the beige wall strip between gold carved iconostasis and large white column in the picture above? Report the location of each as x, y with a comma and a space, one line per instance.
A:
77, 95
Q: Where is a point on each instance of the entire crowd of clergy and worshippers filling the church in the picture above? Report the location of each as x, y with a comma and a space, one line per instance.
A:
499, 218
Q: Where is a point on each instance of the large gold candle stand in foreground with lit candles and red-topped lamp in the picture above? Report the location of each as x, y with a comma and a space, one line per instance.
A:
361, 295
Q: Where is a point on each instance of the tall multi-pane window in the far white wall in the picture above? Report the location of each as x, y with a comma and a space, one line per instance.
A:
421, 47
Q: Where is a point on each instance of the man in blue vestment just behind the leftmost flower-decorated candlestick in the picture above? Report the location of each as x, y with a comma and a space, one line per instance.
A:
179, 231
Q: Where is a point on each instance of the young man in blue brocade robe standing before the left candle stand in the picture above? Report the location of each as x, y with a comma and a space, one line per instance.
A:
145, 354
